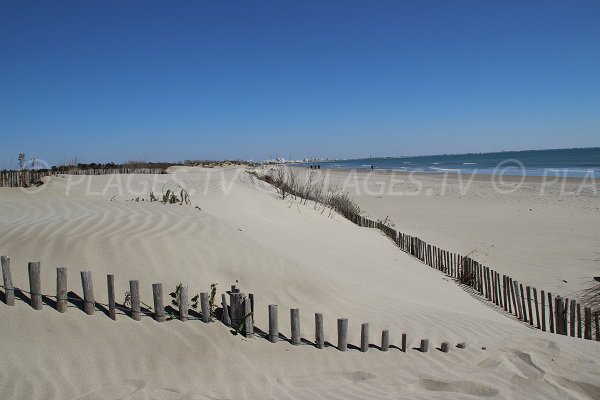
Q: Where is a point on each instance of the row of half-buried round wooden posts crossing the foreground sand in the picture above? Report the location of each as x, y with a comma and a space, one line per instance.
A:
237, 314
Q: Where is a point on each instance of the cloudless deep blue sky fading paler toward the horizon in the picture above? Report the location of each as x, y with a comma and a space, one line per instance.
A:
173, 80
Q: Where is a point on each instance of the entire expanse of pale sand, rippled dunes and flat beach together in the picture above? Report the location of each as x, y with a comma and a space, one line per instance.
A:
287, 253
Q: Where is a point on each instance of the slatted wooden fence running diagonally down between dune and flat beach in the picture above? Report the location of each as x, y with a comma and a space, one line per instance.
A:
546, 312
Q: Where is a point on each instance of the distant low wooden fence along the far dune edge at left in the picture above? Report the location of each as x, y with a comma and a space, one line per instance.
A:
28, 178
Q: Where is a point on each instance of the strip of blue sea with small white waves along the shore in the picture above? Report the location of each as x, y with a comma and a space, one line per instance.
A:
561, 162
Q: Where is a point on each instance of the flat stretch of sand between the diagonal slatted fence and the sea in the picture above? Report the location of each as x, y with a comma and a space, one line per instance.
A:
542, 231
